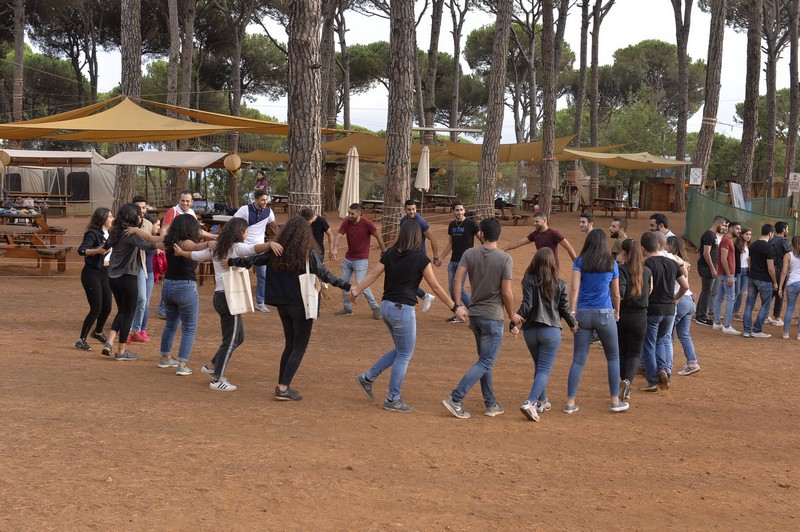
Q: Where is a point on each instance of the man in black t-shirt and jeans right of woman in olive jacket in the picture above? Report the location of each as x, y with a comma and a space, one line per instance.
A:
657, 348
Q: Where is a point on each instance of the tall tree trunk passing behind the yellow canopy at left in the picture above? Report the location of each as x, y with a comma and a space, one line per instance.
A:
131, 51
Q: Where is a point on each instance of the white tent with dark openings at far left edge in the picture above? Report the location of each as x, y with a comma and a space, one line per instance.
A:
81, 175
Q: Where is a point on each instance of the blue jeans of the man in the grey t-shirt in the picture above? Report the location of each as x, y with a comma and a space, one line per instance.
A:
488, 337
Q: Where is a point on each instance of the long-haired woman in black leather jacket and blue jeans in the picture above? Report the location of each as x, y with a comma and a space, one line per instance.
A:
544, 304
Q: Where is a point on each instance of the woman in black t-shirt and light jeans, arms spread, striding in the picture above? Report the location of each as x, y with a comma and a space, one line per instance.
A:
405, 266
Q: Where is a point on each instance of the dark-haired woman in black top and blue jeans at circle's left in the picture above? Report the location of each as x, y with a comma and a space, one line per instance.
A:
179, 292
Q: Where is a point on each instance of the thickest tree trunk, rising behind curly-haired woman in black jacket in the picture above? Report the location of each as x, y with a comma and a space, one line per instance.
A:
305, 106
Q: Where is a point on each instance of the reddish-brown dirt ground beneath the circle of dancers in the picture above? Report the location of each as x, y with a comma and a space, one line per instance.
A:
89, 443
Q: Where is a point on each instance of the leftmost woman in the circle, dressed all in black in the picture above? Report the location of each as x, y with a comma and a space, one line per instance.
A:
94, 276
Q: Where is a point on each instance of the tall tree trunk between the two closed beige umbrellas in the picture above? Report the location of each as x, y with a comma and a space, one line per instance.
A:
400, 116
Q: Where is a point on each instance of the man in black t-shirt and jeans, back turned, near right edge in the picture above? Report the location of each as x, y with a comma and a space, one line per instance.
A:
761, 283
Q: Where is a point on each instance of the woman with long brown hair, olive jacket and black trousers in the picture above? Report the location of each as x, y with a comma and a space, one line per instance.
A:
635, 283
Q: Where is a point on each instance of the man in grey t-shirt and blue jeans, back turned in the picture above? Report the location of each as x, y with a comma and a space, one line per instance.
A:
490, 271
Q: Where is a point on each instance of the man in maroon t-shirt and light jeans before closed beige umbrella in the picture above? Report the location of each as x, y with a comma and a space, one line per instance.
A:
359, 232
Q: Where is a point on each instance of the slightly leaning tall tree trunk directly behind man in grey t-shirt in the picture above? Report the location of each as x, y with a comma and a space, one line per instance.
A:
487, 178
